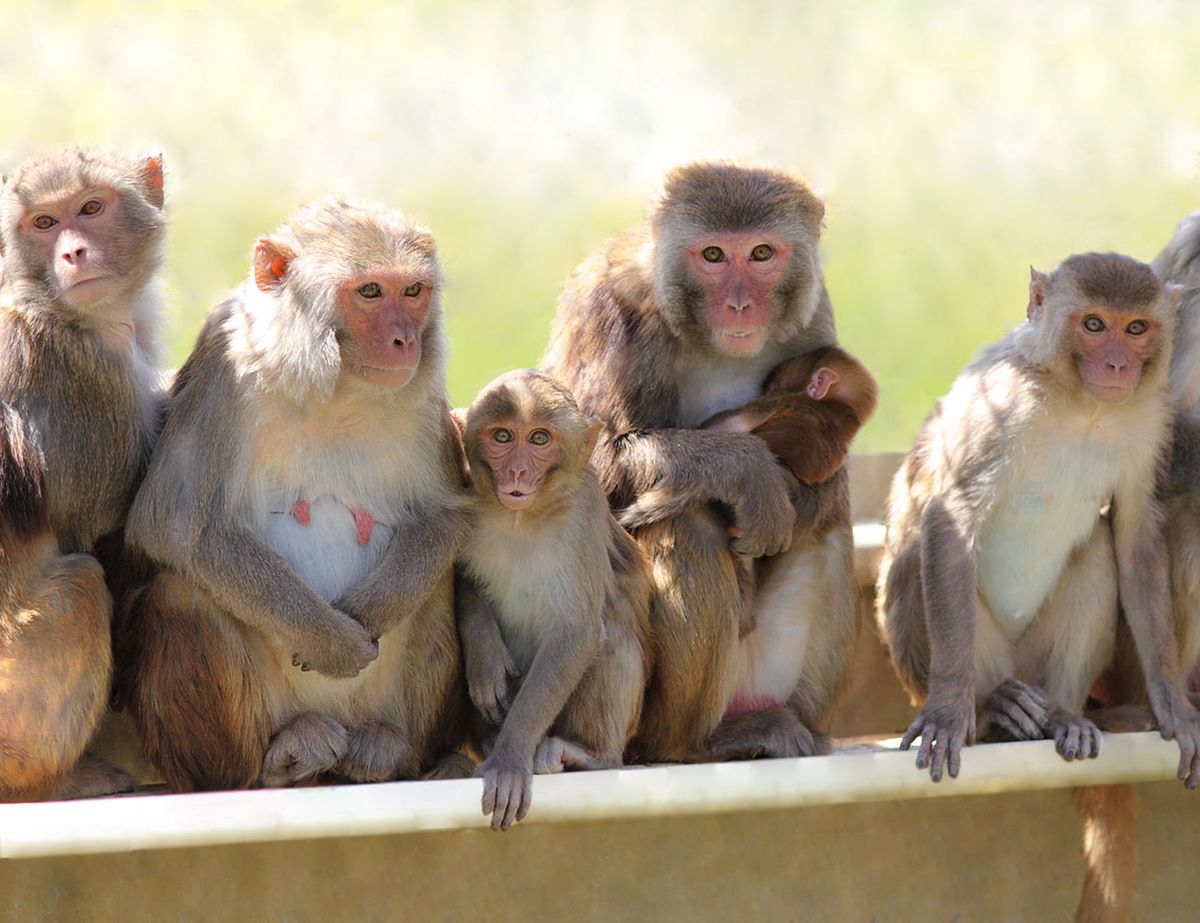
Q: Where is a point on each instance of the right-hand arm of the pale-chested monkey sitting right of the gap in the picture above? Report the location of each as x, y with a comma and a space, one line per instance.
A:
1145, 597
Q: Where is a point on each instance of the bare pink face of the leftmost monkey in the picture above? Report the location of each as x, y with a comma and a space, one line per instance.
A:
71, 237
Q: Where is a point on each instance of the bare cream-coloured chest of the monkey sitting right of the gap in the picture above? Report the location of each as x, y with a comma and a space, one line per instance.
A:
1049, 510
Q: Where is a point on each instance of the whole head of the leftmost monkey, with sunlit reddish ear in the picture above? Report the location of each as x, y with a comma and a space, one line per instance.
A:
85, 227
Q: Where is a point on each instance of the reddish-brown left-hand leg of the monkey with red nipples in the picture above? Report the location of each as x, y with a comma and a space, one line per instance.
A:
197, 694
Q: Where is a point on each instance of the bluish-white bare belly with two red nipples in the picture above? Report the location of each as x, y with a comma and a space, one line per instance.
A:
331, 543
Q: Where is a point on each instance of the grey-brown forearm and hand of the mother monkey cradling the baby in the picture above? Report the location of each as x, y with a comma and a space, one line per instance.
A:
670, 471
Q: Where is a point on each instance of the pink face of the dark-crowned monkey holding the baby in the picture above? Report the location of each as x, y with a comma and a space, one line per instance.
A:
740, 273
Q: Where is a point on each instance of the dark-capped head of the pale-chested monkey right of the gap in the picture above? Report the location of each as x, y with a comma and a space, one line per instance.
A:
1101, 325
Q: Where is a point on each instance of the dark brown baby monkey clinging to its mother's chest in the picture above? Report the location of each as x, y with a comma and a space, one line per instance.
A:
812, 410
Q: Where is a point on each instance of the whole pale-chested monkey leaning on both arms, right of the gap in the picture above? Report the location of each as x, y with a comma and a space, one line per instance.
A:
1001, 578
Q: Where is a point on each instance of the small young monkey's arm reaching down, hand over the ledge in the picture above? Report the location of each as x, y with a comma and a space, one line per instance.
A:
557, 669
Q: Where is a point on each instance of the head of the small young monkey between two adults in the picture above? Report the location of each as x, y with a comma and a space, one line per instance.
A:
527, 441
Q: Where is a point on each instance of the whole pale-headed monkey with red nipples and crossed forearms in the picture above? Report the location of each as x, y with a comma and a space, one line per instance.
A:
305, 506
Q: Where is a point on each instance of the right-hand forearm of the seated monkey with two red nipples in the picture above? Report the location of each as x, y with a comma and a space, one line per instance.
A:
422, 552
